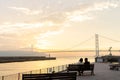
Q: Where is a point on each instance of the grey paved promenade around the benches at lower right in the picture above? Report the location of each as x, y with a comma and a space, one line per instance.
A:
102, 72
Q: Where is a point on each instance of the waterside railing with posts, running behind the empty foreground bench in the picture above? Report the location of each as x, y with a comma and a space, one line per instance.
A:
18, 76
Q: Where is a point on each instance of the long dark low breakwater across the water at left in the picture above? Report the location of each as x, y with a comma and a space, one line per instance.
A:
10, 59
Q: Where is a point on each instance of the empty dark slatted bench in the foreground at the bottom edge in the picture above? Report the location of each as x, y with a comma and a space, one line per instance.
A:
50, 76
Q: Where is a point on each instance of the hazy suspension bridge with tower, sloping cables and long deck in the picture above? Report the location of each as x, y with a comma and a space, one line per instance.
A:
97, 43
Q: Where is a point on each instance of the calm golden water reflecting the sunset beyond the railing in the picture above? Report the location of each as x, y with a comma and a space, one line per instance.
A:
16, 67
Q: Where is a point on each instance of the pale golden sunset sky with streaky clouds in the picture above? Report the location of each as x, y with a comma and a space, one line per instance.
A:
58, 24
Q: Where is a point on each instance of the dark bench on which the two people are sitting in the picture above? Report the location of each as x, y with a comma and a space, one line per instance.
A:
80, 68
